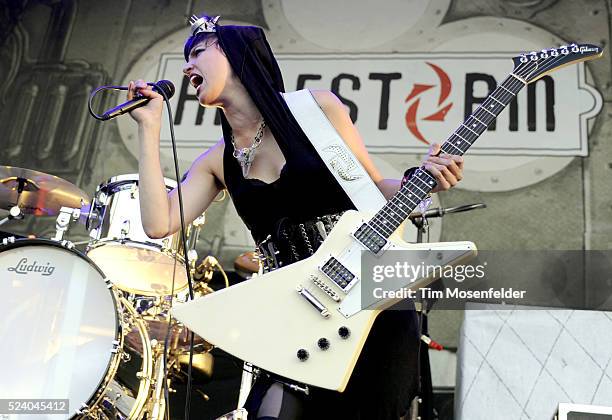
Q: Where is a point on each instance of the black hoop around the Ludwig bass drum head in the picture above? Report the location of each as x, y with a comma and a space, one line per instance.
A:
113, 364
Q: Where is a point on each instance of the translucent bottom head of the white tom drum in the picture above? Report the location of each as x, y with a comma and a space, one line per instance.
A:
139, 268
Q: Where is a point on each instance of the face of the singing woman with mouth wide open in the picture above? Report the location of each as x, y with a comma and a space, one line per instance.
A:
208, 71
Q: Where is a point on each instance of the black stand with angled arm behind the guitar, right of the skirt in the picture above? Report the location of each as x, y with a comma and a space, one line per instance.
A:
419, 220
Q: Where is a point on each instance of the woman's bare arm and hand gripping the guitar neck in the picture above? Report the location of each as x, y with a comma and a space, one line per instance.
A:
447, 169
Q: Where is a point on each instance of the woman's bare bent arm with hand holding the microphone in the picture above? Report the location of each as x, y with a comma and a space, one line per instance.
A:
160, 209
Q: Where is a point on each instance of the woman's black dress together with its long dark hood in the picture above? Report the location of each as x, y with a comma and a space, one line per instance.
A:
384, 379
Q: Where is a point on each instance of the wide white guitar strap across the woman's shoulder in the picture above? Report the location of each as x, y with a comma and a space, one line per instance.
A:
338, 157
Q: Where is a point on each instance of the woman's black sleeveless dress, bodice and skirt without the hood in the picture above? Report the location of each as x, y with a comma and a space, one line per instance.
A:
385, 378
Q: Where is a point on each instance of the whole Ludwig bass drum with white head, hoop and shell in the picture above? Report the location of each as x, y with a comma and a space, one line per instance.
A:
63, 336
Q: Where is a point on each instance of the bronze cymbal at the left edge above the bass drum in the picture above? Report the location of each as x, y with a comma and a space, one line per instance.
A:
42, 194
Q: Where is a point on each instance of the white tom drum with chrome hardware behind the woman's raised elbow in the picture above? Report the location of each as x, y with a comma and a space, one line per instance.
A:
119, 245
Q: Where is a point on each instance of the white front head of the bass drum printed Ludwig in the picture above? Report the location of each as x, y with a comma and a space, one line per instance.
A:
60, 324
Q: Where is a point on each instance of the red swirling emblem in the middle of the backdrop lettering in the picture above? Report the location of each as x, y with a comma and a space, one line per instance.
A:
417, 90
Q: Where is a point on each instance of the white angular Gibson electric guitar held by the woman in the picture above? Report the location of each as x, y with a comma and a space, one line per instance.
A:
305, 321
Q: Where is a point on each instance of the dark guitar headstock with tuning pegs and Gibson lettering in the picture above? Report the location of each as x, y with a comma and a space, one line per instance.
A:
531, 66
